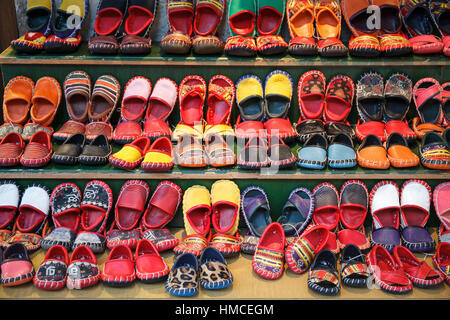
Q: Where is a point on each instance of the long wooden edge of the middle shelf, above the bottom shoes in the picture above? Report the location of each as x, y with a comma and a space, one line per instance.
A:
217, 176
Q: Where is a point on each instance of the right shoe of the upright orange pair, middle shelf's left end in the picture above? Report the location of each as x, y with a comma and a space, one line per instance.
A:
46, 100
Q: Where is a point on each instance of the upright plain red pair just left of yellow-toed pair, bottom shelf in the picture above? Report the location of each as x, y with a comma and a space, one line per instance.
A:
134, 216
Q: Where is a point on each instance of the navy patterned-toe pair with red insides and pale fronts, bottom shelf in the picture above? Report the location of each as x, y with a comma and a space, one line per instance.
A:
79, 220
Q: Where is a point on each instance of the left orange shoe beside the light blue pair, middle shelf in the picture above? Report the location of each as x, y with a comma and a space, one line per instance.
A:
371, 154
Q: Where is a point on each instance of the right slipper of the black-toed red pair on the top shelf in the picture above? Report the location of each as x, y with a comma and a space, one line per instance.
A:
138, 23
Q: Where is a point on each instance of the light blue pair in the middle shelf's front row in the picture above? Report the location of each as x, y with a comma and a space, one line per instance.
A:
316, 153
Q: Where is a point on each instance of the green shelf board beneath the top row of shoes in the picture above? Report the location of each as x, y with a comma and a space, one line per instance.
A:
82, 56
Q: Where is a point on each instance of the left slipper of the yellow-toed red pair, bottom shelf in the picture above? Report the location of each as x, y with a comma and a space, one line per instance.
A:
197, 210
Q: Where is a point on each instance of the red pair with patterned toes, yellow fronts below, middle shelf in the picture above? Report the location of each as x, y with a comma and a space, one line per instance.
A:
192, 95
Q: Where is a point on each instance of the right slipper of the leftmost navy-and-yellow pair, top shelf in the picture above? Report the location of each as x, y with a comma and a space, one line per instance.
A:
67, 22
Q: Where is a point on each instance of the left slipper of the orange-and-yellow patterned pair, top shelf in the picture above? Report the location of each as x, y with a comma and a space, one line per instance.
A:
300, 18
